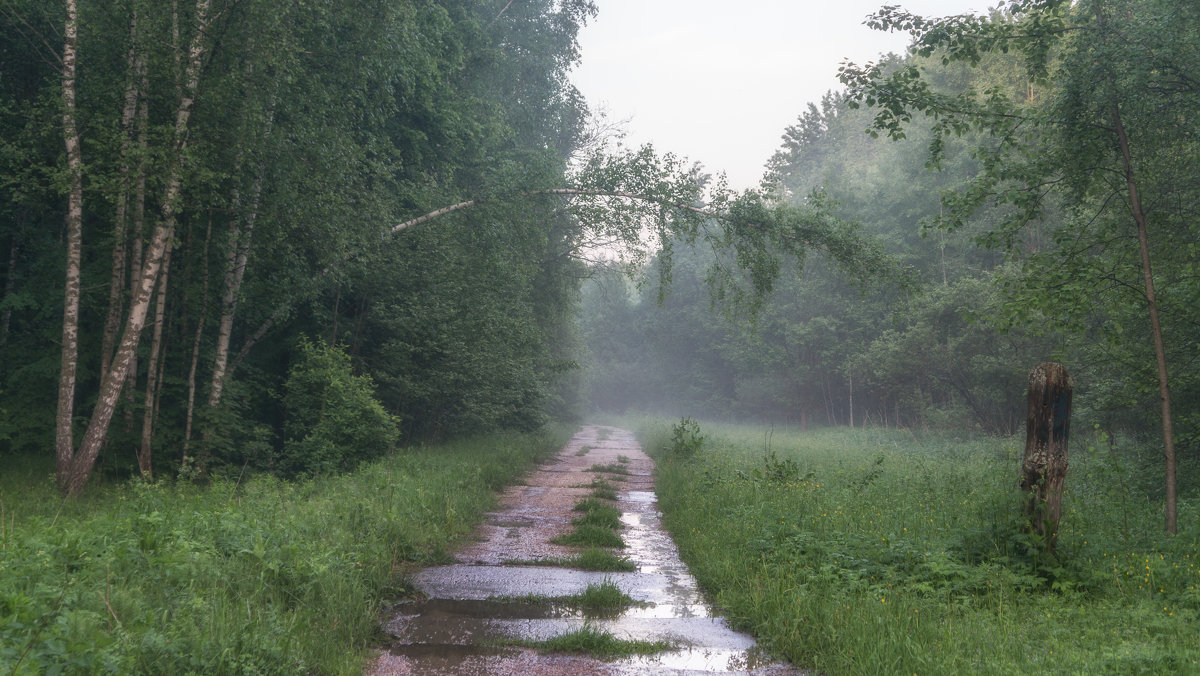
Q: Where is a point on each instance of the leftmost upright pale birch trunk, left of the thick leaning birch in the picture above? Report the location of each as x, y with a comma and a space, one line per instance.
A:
64, 442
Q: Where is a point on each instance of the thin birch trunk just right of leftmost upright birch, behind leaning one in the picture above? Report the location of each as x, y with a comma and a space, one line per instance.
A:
121, 228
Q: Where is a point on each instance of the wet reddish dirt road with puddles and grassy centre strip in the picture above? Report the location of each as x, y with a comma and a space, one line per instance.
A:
470, 606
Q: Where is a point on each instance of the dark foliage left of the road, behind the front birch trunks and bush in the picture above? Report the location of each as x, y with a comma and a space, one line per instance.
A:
317, 128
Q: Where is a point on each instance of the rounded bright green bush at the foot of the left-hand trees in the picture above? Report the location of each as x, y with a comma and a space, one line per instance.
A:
333, 420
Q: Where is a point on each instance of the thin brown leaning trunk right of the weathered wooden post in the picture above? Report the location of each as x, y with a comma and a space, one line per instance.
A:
1148, 276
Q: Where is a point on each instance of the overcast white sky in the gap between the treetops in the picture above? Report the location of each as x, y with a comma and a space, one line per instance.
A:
718, 81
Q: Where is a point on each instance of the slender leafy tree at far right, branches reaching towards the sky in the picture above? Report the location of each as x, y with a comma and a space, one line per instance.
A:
1112, 136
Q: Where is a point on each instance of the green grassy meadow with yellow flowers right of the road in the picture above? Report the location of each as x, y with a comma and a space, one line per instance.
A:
868, 552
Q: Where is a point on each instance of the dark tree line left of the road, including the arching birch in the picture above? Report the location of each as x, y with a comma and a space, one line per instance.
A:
212, 211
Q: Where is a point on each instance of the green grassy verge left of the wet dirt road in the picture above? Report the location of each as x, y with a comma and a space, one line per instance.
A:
259, 577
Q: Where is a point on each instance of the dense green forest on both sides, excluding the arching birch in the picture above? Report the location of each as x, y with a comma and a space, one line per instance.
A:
243, 302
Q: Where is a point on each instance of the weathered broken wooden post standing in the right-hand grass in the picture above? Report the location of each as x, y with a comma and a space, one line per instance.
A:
1045, 468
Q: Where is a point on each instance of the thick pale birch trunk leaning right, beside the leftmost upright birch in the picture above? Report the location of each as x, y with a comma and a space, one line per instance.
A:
111, 388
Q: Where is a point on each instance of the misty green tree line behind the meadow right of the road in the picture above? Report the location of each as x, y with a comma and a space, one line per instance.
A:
1036, 171
